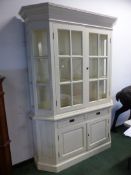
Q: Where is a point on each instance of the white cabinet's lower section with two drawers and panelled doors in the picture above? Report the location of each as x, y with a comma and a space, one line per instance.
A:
63, 143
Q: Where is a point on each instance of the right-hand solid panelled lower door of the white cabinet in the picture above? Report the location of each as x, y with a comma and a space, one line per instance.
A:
98, 132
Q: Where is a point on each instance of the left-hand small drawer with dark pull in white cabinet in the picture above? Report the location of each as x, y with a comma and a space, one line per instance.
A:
70, 121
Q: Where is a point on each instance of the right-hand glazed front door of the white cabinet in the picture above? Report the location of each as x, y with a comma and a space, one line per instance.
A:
99, 65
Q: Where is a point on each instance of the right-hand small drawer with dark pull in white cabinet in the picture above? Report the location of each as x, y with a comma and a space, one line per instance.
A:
98, 113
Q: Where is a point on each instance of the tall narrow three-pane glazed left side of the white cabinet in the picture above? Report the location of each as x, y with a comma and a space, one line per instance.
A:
40, 68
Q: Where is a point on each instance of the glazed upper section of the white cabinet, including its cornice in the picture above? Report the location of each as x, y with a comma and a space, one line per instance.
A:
68, 58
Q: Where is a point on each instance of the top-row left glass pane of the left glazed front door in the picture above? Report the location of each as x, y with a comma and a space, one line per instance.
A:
64, 42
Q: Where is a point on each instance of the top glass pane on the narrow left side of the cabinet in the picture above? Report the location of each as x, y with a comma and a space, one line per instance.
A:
40, 43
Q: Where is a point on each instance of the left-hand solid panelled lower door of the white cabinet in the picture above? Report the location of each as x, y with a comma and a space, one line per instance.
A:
72, 141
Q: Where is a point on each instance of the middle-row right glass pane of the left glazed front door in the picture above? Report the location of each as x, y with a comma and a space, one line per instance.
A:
77, 64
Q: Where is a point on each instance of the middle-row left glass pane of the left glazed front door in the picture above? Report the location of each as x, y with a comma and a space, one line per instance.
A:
64, 66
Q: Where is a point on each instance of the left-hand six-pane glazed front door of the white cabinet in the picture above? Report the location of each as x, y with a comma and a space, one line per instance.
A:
70, 62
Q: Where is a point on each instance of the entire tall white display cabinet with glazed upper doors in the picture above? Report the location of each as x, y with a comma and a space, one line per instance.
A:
69, 58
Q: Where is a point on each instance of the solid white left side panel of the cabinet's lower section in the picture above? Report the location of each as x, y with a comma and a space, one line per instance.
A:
45, 134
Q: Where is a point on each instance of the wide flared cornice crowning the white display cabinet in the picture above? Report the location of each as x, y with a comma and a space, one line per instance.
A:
59, 13
